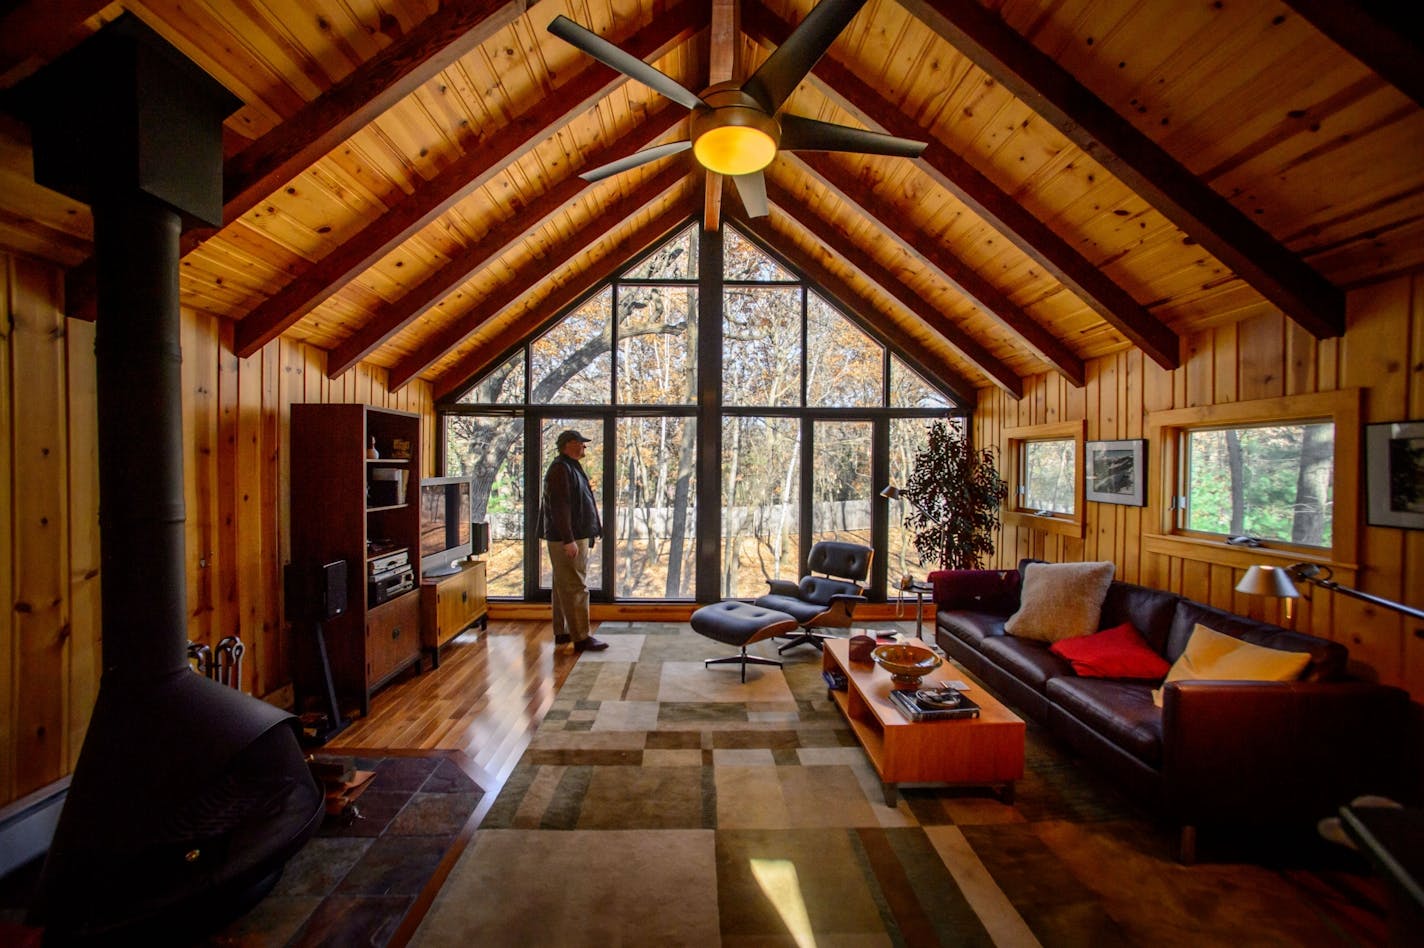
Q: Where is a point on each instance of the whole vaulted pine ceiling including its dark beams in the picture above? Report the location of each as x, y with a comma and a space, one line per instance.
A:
402, 181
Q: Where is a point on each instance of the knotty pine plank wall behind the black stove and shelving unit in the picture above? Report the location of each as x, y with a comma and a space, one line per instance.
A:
236, 428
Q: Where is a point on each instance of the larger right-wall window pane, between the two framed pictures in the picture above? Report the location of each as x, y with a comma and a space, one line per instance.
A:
1274, 483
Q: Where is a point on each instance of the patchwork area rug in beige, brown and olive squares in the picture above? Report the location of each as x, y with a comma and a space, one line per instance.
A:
666, 804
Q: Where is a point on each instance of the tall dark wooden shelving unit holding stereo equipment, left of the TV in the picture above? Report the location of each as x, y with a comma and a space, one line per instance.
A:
345, 506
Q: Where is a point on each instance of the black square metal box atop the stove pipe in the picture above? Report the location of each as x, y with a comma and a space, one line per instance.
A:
129, 96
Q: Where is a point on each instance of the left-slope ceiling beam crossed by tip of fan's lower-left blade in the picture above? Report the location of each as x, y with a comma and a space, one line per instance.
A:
401, 312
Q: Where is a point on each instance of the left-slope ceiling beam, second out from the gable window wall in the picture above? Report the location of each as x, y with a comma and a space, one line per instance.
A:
536, 271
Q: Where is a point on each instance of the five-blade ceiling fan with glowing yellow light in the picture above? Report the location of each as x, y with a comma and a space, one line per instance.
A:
735, 126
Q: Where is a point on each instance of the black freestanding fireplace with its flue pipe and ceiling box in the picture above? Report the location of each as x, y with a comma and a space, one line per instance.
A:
189, 796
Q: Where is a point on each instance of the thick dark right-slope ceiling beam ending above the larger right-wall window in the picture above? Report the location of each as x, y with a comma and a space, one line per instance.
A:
1211, 220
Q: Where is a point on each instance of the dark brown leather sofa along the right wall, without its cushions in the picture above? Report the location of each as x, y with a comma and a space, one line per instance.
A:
1215, 754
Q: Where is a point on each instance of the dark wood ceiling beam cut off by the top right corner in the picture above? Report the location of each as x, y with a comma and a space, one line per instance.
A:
1376, 35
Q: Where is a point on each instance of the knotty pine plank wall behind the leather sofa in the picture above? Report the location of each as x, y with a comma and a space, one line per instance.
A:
1262, 357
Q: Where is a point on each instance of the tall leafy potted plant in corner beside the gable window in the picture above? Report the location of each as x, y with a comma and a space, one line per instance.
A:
955, 496
